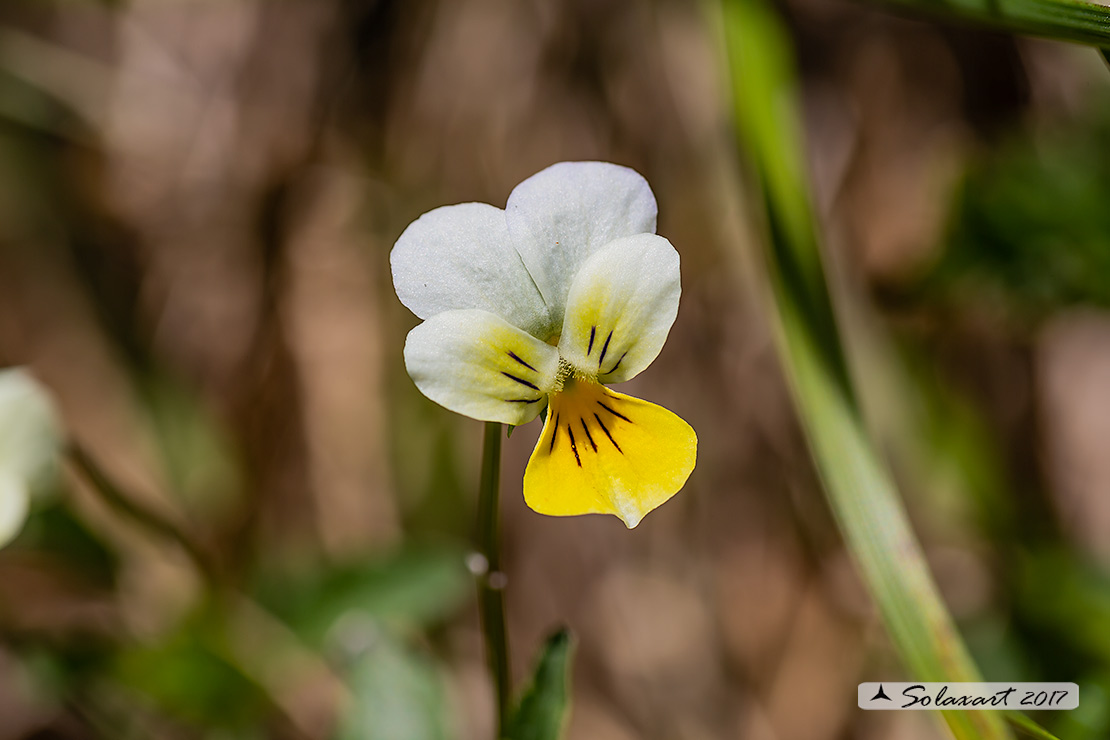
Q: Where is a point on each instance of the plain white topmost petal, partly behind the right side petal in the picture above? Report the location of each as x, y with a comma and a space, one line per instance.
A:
563, 215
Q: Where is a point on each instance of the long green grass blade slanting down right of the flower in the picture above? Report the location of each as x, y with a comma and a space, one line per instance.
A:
860, 488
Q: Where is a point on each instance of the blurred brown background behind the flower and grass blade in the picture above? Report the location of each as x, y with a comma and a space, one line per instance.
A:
198, 201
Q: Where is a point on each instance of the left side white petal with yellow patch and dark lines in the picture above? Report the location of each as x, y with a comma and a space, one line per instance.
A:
480, 366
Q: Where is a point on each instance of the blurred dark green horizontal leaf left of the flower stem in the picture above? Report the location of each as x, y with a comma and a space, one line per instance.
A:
417, 585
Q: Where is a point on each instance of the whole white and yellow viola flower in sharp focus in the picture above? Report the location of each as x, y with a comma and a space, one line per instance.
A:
543, 306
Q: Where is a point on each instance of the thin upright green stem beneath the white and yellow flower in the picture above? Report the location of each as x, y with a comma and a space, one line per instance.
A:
492, 581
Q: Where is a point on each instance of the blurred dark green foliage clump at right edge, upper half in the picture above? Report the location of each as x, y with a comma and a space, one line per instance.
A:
1031, 227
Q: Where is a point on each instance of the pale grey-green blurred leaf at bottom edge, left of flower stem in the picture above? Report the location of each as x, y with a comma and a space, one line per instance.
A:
398, 694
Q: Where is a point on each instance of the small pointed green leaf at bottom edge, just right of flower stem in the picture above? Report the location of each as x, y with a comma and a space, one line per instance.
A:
541, 713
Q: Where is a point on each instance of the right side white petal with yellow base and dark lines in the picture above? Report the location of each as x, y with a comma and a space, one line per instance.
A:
621, 308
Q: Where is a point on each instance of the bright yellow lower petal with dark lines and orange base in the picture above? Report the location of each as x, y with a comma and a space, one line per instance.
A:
607, 453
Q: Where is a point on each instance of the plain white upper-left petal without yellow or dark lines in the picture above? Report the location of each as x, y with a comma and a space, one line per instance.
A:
461, 257
